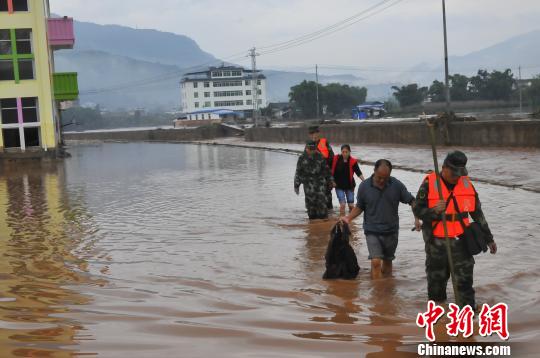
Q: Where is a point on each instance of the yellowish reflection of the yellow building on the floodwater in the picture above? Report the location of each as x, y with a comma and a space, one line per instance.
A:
37, 240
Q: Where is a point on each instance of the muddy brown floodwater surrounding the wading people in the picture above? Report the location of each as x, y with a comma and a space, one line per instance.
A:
170, 250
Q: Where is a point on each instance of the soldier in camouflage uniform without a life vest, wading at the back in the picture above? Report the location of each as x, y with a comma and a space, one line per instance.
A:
313, 172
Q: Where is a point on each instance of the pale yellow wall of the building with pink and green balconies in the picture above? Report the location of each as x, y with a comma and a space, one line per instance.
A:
41, 86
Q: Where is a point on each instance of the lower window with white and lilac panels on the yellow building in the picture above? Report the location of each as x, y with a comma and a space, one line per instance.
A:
20, 122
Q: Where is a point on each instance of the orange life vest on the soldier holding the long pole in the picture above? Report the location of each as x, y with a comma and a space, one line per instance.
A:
466, 198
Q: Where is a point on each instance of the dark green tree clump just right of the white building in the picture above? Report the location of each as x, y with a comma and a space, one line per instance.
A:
338, 98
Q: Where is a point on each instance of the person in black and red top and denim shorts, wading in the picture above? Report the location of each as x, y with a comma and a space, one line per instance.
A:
344, 166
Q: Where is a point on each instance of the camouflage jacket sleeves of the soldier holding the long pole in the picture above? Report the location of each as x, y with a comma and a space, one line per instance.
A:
427, 215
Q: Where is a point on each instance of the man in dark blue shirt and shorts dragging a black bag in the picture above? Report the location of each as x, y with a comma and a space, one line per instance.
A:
378, 198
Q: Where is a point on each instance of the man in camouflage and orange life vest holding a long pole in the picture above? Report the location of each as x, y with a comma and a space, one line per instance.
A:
455, 183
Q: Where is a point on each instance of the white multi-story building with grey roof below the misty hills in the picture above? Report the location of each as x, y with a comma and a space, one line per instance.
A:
221, 88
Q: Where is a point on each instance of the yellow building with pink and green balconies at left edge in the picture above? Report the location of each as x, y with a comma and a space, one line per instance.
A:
30, 91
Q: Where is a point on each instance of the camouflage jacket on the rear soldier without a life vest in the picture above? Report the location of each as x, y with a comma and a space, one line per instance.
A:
312, 169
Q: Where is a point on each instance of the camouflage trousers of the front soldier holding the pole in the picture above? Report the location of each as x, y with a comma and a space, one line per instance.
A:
438, 270
